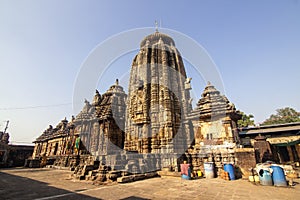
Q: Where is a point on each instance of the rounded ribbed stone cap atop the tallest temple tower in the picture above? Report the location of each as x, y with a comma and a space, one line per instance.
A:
155, 38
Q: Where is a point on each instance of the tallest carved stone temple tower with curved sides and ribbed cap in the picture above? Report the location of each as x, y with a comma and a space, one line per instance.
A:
158, 99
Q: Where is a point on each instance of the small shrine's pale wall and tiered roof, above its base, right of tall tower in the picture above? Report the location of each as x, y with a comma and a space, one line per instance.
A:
214, 119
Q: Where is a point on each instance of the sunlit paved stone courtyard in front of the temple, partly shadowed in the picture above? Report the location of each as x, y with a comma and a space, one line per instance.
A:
56, 184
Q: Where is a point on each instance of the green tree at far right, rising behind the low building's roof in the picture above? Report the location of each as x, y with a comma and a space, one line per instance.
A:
282, 116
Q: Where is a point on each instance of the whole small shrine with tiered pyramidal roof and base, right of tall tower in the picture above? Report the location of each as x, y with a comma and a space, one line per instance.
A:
215, 131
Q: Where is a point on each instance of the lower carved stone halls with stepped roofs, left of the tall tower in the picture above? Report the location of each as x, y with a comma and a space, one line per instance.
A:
98, 129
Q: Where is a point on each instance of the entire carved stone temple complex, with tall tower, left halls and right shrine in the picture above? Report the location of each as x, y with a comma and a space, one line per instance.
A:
152, 128
